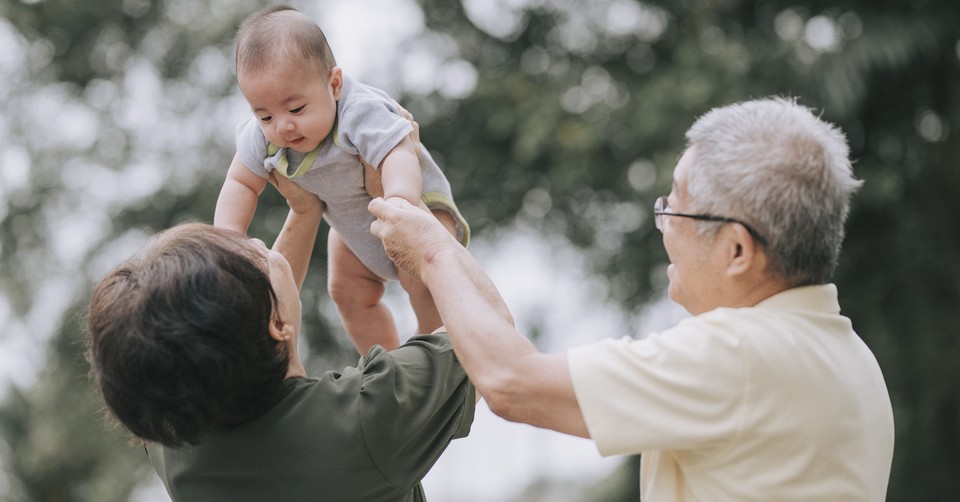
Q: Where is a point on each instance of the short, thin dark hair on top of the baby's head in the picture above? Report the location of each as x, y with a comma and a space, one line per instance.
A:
282, 33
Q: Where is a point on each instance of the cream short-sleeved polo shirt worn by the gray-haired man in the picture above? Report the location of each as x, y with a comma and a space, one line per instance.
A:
781, 401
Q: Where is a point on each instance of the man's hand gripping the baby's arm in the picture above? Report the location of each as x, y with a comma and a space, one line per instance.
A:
410, 235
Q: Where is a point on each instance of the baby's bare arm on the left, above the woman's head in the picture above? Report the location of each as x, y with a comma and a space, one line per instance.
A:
238, 198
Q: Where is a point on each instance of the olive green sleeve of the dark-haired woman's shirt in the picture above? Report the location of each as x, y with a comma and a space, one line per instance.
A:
413, 401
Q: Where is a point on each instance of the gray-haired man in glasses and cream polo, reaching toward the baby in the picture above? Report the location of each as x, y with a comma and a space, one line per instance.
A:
766, 393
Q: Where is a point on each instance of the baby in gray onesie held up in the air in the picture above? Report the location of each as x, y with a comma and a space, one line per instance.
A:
315, 126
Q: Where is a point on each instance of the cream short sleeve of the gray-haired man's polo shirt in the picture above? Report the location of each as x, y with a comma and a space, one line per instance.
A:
683, 388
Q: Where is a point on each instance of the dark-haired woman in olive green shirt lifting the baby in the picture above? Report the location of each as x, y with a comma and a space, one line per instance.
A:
193, 344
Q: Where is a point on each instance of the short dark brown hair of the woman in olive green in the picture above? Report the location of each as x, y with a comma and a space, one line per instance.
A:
178, 336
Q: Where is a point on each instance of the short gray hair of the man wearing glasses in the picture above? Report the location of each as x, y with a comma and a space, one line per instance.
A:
775, 165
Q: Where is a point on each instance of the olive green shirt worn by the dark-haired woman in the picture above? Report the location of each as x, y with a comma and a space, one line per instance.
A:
368, 433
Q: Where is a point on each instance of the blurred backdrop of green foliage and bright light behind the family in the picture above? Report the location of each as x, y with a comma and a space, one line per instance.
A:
558, 123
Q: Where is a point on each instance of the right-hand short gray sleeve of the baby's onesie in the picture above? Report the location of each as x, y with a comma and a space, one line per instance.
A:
372, 126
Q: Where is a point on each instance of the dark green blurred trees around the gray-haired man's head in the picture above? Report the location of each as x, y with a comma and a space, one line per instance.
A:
576, 123
